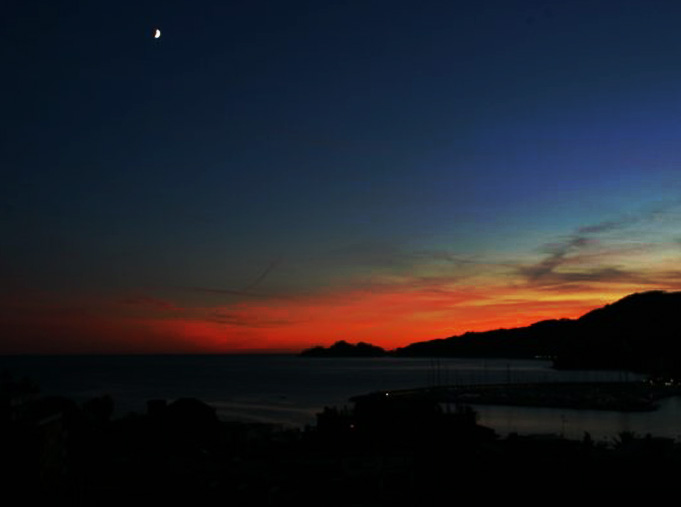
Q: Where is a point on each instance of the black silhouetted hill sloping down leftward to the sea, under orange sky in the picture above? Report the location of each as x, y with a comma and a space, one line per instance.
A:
639, 332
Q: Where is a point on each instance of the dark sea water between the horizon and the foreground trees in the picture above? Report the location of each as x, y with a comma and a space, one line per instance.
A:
288, 390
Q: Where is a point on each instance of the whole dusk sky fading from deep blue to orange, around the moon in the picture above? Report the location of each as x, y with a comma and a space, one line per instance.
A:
272, 175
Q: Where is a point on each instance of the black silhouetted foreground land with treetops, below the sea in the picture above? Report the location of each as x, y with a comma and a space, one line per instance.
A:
383, 451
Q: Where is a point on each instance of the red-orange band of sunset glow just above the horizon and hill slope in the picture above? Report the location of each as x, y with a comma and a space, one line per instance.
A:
389, 317
